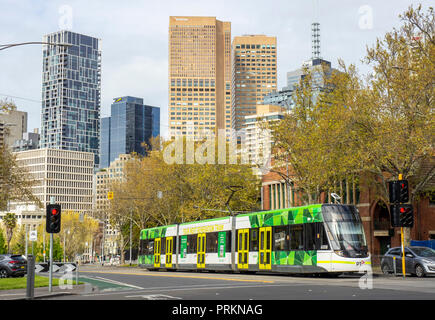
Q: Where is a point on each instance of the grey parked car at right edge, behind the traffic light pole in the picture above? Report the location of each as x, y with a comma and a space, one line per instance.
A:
419, 261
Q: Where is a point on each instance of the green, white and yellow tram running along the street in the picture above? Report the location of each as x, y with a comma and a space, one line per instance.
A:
321, 238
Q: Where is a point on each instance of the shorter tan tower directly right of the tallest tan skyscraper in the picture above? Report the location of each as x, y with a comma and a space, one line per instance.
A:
255, 74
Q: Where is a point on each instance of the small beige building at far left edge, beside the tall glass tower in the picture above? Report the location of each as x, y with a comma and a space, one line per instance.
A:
14, 123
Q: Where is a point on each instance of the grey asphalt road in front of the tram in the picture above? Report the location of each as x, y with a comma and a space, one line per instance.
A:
111, 283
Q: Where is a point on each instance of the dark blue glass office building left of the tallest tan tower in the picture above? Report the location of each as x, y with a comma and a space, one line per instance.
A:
130, 125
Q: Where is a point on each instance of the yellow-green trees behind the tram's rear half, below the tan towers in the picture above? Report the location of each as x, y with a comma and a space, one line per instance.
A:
154, 192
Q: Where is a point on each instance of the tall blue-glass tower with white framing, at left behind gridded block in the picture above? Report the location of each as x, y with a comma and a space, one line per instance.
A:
71, 89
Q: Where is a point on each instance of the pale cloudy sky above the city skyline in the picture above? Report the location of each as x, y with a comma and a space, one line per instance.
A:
134, 37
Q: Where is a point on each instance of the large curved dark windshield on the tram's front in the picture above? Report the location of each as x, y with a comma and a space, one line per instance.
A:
345, 230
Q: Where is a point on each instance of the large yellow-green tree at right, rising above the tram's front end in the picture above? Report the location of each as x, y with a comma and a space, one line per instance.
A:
371, 127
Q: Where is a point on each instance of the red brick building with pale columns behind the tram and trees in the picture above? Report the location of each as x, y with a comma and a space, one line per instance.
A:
276, 194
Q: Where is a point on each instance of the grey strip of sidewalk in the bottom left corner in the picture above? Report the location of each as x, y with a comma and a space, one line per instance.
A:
20, 294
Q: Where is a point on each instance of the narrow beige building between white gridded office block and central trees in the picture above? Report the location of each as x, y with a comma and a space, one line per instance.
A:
104, 178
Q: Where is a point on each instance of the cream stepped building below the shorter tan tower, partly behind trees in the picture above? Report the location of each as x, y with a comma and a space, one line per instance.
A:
258, 142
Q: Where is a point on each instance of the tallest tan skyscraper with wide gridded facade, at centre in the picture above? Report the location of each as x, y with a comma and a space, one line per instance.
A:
199, 75
